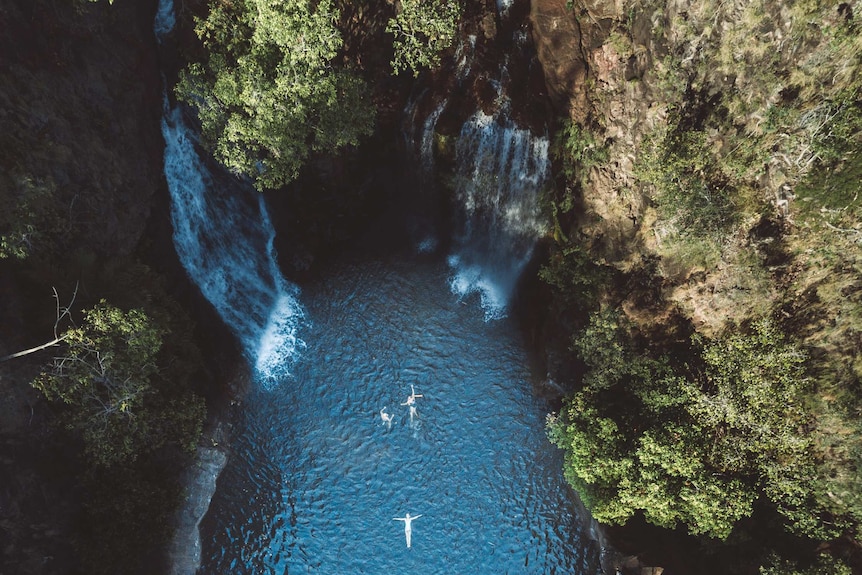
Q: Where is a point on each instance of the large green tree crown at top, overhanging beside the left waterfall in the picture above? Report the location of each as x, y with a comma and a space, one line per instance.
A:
269, 94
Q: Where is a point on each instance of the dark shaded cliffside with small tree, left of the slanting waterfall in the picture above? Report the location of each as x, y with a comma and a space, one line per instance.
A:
94, 478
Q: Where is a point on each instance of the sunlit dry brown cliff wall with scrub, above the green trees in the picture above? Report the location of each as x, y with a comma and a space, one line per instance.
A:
710, 181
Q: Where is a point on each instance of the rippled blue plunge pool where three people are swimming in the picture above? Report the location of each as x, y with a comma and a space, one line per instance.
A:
315, 477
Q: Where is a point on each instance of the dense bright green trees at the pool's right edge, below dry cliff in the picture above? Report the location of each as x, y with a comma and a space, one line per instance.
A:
695, 446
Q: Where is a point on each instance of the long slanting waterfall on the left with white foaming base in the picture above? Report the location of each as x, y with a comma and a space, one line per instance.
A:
224, 239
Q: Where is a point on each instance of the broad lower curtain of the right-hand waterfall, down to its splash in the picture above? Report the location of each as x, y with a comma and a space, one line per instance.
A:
499, 175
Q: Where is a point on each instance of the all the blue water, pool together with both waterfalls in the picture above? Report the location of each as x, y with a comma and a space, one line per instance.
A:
315, 478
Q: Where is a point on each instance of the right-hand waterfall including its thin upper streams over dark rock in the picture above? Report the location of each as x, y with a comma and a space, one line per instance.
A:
500, 170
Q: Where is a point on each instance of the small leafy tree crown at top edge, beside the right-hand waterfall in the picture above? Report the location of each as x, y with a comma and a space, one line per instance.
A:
423, 29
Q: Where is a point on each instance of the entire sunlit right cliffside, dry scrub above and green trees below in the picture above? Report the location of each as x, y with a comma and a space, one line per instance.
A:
720, 361
